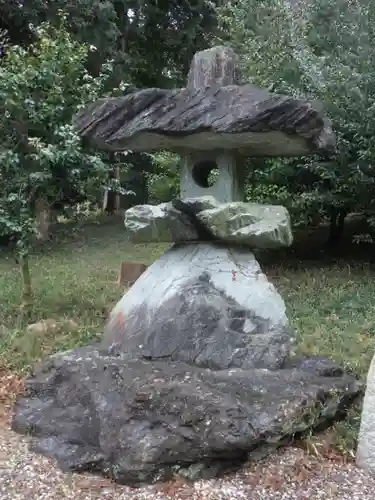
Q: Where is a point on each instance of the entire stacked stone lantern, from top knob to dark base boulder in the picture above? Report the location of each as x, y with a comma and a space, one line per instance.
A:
194, 373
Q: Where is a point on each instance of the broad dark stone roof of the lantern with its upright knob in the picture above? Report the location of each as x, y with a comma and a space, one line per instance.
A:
208, 115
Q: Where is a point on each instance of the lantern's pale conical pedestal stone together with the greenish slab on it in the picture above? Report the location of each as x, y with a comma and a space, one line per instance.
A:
205, 303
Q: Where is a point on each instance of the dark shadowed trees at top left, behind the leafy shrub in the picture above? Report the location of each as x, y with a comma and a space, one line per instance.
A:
151, 42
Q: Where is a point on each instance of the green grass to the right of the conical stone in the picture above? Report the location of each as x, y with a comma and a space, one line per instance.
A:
332, 310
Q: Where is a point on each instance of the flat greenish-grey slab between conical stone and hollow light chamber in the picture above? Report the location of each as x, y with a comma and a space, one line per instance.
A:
204, 218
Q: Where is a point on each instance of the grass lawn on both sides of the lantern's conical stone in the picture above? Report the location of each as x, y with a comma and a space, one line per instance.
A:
331, 307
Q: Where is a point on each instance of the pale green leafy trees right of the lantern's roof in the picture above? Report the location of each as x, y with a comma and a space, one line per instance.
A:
322, 50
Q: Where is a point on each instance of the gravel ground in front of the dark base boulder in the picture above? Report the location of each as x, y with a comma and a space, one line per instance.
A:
288, 475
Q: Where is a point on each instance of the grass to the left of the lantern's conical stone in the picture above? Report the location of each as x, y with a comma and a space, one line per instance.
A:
75, 279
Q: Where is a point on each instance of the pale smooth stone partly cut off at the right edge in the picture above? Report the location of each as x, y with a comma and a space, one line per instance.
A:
366, 440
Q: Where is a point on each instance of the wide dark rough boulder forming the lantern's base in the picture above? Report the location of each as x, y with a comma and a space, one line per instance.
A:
139, 421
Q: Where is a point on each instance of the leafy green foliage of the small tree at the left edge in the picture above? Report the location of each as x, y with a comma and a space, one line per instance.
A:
41, 155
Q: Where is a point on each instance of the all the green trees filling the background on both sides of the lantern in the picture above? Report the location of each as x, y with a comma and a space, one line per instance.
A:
57, 56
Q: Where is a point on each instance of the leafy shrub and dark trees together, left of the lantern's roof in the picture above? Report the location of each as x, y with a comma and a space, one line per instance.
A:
59, 56
